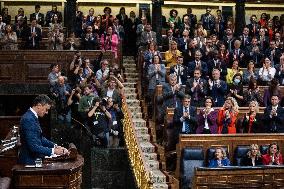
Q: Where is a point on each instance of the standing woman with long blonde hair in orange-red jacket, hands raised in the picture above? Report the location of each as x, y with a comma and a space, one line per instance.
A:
227, 117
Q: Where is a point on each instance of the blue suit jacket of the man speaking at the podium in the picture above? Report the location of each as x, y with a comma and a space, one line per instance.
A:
33, 144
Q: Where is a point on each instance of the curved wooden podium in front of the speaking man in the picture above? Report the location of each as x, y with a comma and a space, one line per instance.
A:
65, 174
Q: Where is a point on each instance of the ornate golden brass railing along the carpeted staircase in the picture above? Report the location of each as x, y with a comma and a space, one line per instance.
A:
140, 170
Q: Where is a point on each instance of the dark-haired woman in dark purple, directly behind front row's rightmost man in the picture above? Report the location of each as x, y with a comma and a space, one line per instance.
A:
273, 89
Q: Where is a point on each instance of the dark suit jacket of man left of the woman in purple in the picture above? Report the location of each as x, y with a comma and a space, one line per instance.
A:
178, 113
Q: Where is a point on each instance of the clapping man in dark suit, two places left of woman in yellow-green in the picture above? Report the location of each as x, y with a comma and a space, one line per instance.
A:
197, 64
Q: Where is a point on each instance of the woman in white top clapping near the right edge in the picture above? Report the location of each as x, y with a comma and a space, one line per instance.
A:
266, 73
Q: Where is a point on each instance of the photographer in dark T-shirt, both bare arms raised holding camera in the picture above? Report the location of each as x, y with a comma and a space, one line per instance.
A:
100, 120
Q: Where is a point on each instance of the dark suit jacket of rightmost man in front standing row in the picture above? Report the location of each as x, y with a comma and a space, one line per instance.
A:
276, 123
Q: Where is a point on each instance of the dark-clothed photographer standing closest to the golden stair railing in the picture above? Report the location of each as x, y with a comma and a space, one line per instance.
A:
116, 124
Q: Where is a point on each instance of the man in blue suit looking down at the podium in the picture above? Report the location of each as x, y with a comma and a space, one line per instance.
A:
33, 144
